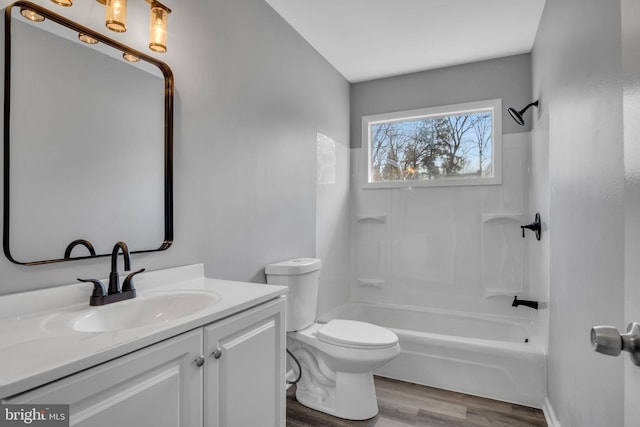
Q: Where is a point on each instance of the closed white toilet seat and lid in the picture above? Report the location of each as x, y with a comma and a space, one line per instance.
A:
355, 334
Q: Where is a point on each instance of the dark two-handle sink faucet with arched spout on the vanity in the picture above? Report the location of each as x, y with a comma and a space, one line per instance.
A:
102, 295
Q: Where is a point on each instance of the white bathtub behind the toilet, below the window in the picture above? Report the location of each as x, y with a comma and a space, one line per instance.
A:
487, 356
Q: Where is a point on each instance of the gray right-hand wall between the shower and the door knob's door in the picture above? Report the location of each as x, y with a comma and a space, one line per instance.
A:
576, 75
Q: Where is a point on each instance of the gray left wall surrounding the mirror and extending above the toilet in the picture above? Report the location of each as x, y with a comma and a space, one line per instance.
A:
251, 96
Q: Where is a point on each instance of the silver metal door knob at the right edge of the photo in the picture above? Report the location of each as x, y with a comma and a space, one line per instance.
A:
607, 340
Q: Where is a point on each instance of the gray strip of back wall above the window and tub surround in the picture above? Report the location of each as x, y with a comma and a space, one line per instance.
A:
507, 78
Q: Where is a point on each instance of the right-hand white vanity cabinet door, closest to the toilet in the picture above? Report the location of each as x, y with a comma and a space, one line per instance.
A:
244, 371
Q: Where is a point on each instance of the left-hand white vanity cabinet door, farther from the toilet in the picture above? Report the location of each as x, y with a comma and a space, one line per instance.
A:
159, 386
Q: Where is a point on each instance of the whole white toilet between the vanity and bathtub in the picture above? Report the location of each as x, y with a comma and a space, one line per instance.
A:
337, 358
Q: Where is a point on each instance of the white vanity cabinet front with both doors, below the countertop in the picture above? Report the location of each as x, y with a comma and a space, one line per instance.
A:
228, 373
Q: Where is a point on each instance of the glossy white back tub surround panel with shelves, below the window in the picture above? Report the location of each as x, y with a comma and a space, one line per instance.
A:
469, 255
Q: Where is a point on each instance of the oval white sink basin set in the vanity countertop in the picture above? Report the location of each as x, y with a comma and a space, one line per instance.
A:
152, 308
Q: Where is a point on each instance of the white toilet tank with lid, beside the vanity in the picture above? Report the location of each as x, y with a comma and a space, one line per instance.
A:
300, 275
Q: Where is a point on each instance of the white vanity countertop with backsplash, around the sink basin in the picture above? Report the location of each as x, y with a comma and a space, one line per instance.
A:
35, 349
